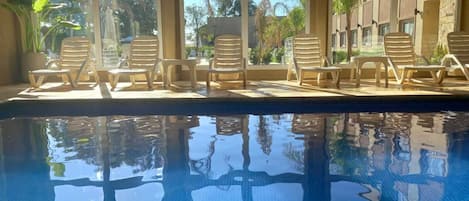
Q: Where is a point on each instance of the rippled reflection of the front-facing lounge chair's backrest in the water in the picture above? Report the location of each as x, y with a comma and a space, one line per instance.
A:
230, 125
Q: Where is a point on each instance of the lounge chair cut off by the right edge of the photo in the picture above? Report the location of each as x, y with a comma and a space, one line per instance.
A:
458, 51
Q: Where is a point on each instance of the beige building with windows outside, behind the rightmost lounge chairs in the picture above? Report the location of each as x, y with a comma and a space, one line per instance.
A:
428, 20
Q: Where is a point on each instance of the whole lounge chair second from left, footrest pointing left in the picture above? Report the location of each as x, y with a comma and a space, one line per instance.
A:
143, 59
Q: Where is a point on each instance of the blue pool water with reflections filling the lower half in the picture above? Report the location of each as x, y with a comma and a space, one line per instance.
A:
356, 156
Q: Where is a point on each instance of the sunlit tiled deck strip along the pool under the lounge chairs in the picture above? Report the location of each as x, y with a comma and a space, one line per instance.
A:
255, 89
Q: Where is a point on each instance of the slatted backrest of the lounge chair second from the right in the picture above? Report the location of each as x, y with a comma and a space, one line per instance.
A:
399, 47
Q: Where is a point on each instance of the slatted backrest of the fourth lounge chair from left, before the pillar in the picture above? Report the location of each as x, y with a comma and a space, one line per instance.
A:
306, 51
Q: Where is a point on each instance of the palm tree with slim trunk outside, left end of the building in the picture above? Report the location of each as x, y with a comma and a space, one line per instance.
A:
346, 7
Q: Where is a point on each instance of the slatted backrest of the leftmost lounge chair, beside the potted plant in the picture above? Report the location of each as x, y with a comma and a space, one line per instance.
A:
74, 51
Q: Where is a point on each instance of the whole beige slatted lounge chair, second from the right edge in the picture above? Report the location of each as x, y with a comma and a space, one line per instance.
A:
400, 50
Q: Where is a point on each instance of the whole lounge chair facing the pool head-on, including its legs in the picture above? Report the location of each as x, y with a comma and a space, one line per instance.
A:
228, 58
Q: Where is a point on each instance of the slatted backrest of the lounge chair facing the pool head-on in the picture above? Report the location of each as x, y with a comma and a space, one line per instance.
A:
228, 51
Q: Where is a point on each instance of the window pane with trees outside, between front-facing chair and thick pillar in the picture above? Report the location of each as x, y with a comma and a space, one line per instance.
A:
270, 24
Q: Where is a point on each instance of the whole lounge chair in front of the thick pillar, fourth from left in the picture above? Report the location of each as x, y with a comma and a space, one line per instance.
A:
307, 58
